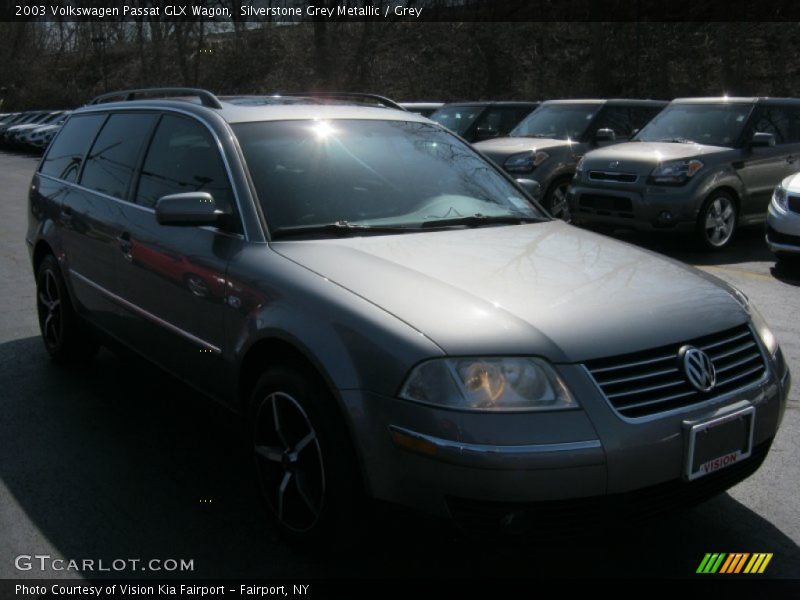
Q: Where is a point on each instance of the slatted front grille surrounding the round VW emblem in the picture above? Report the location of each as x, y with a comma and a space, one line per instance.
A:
652, 381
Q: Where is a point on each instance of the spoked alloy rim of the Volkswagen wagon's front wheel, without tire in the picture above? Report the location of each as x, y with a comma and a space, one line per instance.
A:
289, 462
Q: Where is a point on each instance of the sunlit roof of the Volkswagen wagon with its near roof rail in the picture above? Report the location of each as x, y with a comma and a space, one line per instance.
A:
245, 109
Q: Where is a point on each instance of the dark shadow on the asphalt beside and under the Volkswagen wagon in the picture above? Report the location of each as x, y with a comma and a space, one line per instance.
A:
118, 460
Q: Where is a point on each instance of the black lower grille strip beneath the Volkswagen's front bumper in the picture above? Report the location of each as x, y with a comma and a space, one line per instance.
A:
579, 515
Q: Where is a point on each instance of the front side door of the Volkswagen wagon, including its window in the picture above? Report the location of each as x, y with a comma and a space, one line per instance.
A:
174, 277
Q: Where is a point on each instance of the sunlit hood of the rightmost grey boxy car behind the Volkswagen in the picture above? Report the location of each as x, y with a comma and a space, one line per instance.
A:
642, 157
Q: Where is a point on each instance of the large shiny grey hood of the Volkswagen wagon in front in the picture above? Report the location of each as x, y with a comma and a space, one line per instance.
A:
545, 289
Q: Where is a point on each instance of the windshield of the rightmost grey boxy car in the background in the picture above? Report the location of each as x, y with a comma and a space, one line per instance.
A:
710, 124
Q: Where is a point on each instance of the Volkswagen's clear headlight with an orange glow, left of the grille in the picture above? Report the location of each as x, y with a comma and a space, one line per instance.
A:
488, 384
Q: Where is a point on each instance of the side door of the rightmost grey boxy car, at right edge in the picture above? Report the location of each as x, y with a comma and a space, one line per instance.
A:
763, 168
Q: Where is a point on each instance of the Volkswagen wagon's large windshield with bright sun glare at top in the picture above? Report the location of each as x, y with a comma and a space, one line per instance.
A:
372, 173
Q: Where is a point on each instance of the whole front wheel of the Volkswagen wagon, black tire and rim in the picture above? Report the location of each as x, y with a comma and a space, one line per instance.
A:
322, 503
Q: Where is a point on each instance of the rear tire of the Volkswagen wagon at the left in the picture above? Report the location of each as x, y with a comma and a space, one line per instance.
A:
66, 338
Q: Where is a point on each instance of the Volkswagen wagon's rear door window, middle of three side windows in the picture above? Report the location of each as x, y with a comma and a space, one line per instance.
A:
115, 153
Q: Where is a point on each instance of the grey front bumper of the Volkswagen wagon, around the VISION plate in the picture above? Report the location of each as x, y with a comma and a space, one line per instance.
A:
444, 462
